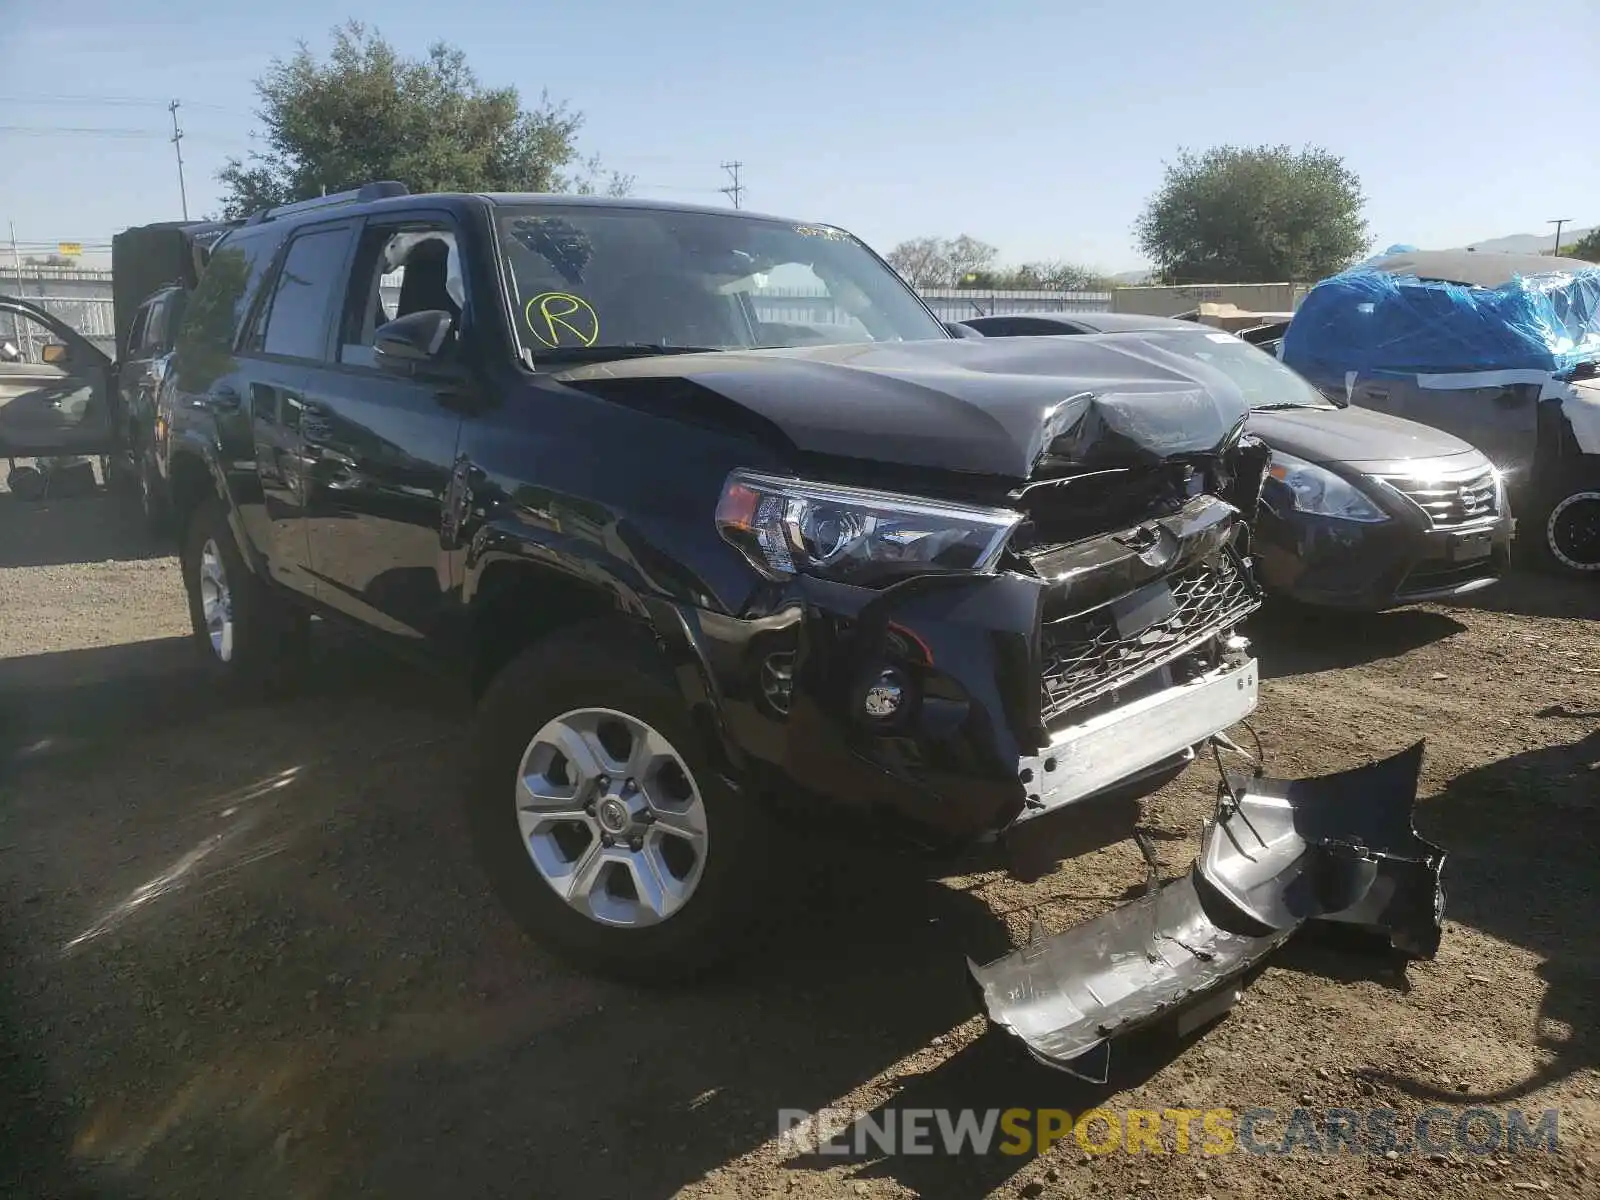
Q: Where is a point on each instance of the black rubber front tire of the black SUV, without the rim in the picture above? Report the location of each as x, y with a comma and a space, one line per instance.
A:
609, 665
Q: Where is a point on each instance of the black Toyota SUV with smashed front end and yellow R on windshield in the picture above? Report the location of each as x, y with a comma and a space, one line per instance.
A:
718, 518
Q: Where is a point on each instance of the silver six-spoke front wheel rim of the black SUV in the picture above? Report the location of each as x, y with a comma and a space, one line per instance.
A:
612, 818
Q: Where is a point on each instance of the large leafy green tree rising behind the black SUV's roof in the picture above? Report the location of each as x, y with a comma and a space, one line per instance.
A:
367, 113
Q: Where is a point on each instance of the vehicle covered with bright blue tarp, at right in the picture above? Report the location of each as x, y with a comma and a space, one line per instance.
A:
1500, 350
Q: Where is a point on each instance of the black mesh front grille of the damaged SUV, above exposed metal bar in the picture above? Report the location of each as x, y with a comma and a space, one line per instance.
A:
1086, 657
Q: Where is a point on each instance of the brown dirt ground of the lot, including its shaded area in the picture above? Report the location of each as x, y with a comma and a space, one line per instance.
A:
247, 954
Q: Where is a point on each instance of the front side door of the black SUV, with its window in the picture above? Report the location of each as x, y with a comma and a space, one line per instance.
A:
380, 446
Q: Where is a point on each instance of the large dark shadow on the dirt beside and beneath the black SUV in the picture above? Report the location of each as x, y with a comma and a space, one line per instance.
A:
250, 954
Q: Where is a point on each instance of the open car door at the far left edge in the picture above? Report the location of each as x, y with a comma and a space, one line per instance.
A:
58, 396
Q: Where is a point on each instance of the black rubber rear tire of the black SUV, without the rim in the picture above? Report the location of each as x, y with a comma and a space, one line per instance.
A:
270, 634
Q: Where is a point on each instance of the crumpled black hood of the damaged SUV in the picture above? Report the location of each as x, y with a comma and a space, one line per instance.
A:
1012, 409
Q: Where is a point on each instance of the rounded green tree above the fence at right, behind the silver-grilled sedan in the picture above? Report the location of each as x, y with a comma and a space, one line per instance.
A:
1254, 215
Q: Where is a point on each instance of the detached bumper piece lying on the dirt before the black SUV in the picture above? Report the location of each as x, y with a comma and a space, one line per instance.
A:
1278, 855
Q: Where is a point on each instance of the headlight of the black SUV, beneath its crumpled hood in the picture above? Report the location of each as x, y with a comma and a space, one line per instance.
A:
852, 535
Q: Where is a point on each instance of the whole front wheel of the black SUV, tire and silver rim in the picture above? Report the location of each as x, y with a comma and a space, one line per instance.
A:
599, 820
